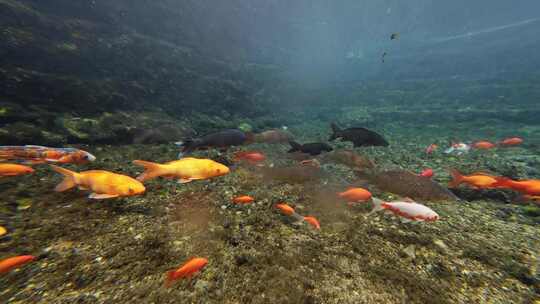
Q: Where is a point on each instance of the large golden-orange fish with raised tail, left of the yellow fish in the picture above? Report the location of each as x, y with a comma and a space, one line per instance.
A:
103, 184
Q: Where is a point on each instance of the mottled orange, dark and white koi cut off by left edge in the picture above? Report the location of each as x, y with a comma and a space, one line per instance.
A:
40, 154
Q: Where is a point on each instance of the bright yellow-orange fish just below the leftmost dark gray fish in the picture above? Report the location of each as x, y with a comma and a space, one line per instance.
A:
186, 169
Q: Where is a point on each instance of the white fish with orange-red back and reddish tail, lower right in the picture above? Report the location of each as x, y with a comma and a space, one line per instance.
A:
409, 211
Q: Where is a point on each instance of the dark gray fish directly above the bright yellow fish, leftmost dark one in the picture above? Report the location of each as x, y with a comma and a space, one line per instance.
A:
220, 140
